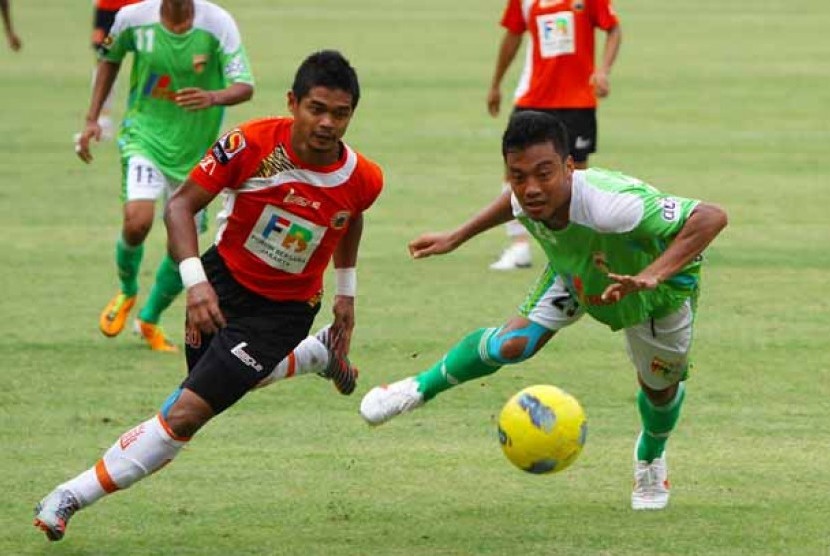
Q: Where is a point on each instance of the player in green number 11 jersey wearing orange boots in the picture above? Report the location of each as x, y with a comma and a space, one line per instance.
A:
188, 64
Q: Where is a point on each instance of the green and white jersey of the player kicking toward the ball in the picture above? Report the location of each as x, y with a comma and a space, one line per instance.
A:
617, 224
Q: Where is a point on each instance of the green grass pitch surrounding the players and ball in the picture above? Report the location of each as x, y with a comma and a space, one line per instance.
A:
727, 101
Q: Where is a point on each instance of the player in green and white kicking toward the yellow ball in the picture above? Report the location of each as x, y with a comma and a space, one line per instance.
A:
617, 249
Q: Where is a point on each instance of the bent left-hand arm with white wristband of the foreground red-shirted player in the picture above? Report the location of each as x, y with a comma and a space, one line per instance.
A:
203, 310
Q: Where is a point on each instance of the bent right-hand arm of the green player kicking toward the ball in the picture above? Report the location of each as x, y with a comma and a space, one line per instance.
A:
704, 224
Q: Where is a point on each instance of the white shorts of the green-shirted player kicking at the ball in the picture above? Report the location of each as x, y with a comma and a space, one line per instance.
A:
658, 348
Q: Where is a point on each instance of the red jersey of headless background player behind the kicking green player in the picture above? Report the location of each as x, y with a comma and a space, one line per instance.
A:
560, 56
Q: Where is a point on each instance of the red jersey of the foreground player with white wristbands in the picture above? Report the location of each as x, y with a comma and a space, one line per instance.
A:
282, 219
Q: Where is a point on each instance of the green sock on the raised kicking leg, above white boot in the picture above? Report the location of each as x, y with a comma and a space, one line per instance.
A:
465, 361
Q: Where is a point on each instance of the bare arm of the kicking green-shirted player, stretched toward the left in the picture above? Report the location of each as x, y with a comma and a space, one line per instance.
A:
496, 213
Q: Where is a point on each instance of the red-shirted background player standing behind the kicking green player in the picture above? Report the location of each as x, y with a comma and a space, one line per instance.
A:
559, 77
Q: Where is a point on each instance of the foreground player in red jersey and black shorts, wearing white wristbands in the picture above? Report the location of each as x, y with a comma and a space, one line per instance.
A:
296, 198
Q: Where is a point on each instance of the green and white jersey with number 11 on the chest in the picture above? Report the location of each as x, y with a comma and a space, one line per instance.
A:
209, 56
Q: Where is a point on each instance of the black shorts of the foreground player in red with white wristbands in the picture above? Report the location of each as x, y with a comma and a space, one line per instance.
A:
260, 333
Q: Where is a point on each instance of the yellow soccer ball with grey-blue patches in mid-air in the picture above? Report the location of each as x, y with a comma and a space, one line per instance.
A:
542, 429
